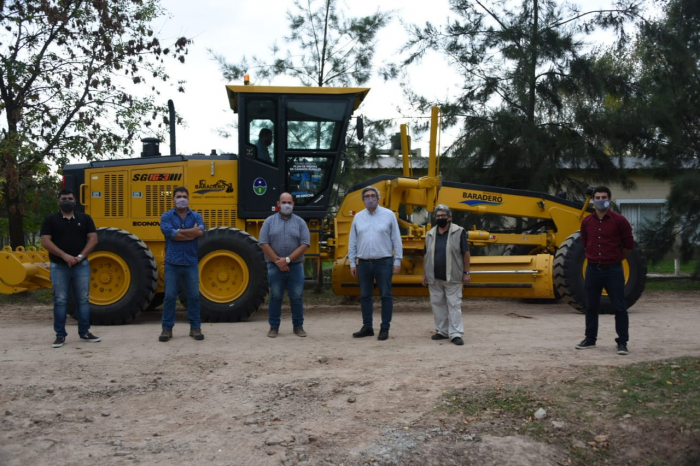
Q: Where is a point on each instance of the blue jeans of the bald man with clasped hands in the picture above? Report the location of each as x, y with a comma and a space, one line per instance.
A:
294, 282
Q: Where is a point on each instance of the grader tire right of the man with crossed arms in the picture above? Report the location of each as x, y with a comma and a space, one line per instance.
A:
232, 275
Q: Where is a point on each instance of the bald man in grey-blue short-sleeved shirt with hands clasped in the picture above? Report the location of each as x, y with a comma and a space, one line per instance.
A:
283, 238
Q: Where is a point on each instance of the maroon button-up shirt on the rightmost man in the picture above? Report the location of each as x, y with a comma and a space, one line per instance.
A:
605, 238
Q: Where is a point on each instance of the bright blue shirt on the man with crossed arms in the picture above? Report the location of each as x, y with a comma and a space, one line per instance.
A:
180, 252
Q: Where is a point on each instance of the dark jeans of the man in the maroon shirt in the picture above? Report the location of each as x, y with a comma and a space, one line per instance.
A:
613, 280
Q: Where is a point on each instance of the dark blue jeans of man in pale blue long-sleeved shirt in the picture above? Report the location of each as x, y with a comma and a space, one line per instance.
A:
380, 270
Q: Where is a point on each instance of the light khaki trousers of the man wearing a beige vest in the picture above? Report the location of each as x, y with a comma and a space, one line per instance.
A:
446, 301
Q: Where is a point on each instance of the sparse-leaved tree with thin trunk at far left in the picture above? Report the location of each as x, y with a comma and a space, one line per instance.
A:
66, 74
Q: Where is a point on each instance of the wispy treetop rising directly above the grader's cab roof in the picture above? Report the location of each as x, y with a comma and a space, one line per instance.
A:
326, 49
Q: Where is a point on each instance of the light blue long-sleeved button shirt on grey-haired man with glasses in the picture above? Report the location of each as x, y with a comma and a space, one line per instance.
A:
375, 236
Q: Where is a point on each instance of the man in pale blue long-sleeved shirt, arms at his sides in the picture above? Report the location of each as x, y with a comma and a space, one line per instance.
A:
375, 252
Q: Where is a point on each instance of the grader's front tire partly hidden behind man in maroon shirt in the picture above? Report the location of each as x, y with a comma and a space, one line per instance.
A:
569, 269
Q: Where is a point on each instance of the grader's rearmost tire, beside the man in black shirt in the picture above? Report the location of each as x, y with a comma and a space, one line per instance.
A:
123, 277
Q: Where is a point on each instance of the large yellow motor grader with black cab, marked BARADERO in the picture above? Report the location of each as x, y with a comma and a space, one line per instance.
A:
236, 193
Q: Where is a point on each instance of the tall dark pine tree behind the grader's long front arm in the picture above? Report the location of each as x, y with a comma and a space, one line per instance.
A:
533, 100
